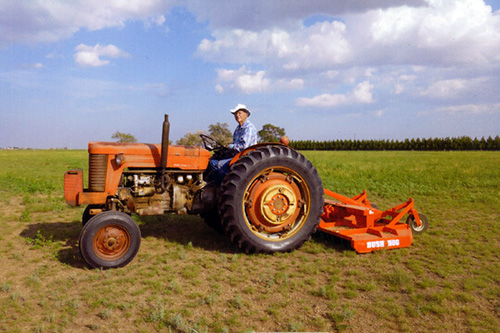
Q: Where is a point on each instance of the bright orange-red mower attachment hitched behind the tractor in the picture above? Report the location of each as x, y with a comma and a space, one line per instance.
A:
367, 227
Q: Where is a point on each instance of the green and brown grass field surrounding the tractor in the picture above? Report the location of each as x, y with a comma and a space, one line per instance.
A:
188, 278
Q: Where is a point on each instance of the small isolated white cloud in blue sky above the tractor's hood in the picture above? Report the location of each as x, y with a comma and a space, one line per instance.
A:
90, 56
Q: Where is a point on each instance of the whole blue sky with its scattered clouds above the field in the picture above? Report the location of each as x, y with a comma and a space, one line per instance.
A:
77, 71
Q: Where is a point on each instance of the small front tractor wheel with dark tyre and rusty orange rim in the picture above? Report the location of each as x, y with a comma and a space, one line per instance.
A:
109, 240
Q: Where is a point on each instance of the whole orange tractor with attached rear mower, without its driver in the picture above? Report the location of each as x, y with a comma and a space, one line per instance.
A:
272, 200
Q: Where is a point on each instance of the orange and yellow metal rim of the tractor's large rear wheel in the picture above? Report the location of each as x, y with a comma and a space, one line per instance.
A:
276, 204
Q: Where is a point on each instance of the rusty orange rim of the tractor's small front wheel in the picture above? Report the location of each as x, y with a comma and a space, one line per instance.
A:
111, 242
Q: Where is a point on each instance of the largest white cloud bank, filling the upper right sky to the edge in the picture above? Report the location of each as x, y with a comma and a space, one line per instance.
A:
444, 33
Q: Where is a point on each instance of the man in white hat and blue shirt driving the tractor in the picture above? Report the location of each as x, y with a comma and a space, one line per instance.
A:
244, 136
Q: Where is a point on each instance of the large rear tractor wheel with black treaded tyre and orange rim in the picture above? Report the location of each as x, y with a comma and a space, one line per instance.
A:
272, 200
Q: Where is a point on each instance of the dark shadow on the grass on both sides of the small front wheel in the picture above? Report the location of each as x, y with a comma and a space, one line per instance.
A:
177, 229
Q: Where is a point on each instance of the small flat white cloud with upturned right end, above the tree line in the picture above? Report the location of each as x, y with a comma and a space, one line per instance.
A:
362, 94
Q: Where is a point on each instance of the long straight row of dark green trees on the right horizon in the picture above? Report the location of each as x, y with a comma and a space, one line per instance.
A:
430, 144
